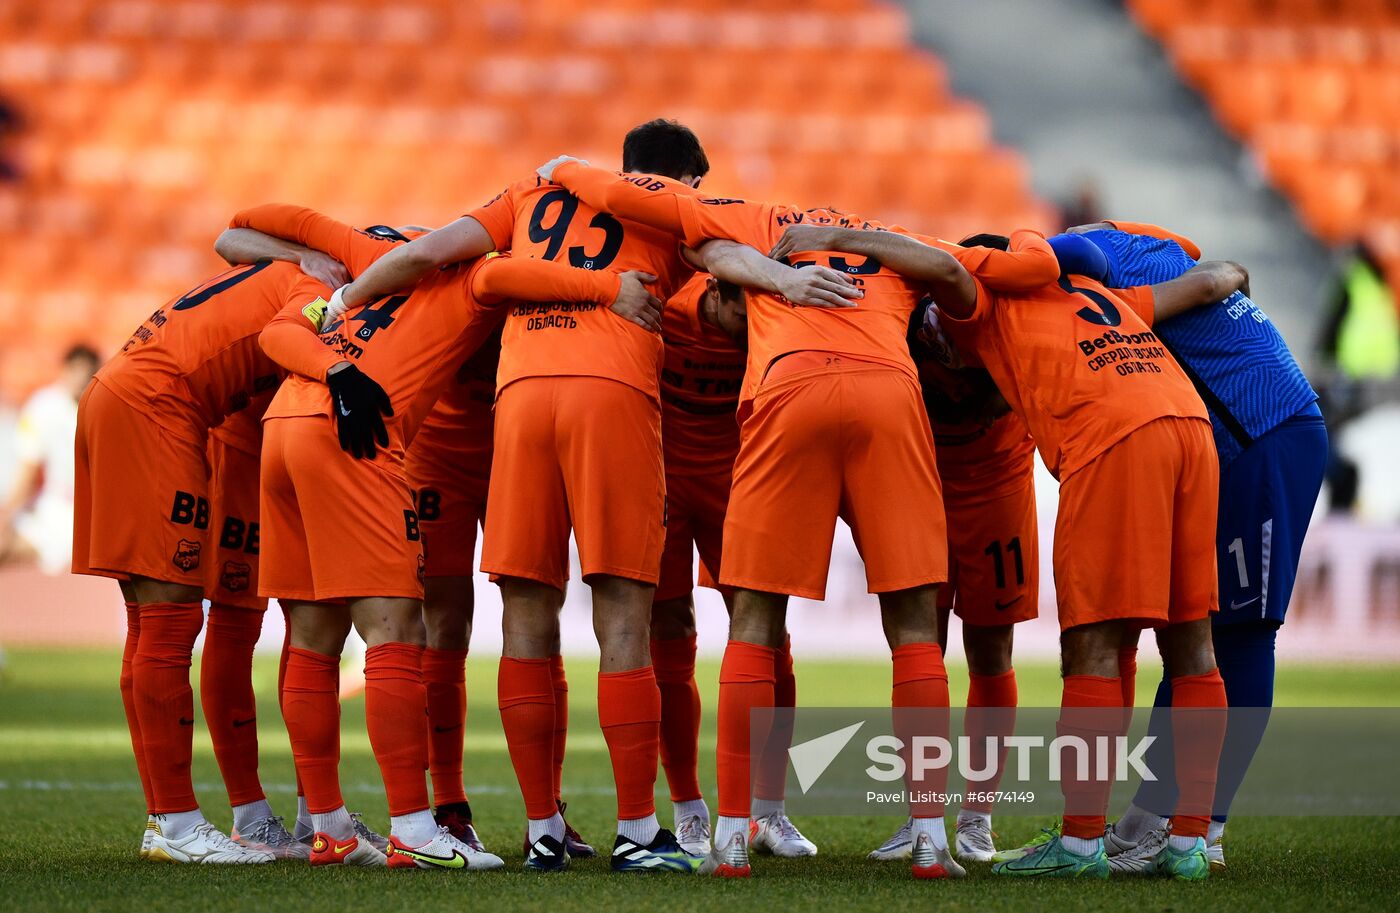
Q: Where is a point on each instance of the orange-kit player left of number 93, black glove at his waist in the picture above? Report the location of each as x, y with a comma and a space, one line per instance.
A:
414, 342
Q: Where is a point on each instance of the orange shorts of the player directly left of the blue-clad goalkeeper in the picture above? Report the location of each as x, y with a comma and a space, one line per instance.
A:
1136, 531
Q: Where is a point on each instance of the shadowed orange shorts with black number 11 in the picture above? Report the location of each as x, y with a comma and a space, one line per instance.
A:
993, 558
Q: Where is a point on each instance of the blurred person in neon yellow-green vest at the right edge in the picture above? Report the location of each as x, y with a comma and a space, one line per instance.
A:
1363, 331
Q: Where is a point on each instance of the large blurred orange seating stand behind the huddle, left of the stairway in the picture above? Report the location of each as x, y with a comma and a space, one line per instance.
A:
150, 121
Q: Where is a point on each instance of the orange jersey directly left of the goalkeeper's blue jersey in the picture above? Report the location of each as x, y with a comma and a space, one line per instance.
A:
1080, 363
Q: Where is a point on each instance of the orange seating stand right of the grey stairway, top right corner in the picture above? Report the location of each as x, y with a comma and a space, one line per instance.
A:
1314, 89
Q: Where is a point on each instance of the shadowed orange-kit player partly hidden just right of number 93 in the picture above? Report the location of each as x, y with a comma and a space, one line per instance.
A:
705, 331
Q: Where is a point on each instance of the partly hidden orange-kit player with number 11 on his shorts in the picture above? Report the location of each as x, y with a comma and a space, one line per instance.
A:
986, 463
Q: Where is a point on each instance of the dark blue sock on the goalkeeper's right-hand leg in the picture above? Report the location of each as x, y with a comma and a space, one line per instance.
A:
1245, 655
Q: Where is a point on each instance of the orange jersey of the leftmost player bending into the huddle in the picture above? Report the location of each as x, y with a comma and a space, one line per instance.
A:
197, 359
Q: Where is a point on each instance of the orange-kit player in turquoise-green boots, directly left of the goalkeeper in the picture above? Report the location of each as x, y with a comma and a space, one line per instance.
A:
1129, 439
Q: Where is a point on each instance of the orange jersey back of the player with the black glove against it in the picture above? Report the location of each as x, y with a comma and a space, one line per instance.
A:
411, 344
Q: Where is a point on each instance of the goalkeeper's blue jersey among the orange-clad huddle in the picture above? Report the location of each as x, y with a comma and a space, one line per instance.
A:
1233, 352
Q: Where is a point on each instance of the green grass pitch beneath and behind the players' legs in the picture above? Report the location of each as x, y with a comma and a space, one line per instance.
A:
71, 817
